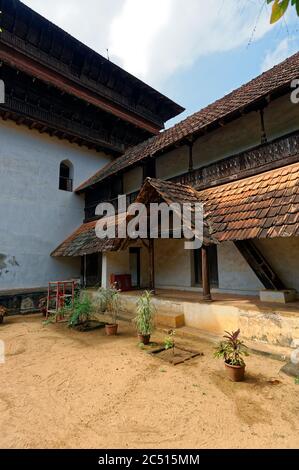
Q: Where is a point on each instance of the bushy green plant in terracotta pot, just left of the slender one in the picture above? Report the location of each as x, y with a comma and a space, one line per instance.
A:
109, 301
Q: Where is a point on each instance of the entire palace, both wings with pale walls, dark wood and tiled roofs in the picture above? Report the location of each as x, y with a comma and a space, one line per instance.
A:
76, 130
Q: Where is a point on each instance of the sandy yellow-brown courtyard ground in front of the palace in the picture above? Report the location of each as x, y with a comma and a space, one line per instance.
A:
64, 389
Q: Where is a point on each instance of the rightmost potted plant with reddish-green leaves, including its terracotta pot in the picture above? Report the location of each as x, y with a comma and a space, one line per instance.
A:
232, 350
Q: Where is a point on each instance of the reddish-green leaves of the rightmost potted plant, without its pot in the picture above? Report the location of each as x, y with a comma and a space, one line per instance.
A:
232, 349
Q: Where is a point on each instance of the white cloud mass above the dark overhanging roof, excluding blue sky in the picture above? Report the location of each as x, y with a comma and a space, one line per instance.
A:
153, 39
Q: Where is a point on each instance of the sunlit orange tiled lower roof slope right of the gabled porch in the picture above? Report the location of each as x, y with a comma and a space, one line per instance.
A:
262, 206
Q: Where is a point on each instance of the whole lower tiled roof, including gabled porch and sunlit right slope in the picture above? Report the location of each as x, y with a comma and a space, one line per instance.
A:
262, 206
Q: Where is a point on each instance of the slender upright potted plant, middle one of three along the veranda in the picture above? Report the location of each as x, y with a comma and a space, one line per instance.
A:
144, 319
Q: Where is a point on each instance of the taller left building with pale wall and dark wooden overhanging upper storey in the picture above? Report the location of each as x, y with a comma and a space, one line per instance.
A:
67, 113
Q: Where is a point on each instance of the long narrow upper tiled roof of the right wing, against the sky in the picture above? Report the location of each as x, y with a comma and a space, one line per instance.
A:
277, 78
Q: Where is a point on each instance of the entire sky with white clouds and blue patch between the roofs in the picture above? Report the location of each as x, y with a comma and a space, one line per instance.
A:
193, 51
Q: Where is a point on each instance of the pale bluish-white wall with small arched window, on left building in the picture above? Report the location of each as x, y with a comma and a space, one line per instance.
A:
35, 216
